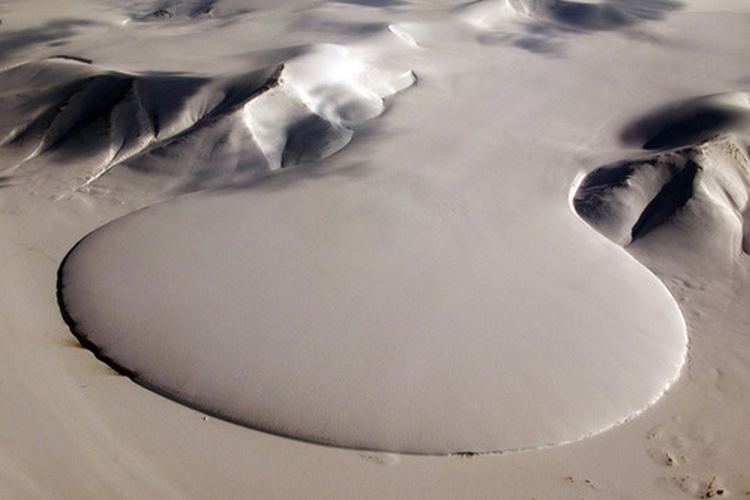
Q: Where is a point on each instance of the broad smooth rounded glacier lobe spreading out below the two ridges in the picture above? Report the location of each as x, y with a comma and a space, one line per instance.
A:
329, 312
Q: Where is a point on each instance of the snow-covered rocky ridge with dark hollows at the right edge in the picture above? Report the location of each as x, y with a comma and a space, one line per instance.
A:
703, 160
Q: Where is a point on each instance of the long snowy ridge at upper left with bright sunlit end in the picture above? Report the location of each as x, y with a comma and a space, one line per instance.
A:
191, 130
